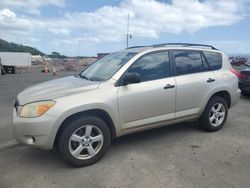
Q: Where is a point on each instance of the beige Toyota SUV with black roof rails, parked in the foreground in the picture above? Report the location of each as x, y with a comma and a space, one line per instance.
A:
131, 90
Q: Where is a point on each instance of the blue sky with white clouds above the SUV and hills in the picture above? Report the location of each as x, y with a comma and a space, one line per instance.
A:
87, 27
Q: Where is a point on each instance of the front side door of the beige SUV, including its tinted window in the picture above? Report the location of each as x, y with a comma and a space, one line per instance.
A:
153, 99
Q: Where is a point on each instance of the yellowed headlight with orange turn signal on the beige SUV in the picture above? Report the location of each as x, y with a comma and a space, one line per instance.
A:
36, 109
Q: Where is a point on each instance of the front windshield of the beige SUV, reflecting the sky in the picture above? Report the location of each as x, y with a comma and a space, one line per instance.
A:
106, 67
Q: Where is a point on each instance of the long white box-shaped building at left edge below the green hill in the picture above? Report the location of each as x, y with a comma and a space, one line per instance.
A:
17, 59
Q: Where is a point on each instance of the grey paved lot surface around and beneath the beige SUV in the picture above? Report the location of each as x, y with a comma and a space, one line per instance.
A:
174, 156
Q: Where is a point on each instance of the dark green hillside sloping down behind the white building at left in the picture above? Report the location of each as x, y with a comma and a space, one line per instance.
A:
12, 47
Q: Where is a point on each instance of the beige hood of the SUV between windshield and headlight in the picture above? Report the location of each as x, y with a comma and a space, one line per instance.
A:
56, 88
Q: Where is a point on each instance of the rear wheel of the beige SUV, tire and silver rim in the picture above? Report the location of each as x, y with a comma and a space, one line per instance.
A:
212, 118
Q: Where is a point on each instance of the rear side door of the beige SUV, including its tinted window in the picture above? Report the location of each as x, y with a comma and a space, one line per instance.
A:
194, 81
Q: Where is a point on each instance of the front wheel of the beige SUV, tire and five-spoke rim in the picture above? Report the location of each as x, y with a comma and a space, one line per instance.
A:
86, 141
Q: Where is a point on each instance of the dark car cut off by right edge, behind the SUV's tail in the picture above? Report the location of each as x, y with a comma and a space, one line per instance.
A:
244, 81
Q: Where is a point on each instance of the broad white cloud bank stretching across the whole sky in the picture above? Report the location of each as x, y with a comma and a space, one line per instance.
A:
148, 19
